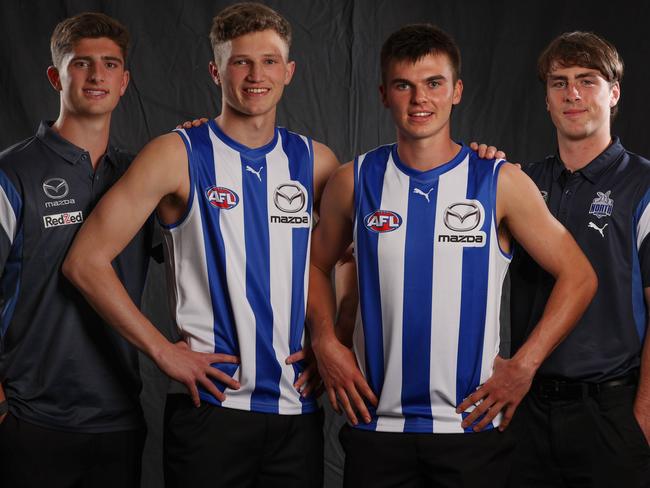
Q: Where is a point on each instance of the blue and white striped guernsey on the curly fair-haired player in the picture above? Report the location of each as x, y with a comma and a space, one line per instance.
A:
238, 262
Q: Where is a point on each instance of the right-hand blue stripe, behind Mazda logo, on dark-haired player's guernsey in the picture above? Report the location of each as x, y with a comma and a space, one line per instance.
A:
475, 285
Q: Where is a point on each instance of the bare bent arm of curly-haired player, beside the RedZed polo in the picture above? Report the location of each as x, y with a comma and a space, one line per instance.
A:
159, 171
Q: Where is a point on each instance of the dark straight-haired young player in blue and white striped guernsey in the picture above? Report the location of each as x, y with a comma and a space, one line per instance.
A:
431, 224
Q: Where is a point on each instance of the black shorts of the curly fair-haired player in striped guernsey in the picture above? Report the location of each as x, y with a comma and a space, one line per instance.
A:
217, 446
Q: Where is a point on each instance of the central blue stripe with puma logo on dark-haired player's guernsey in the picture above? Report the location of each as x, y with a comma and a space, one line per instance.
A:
416, 321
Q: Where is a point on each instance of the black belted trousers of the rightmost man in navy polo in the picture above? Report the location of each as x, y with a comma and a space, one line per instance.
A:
592, 442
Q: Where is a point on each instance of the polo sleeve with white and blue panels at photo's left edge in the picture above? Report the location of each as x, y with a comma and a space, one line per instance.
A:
10, 249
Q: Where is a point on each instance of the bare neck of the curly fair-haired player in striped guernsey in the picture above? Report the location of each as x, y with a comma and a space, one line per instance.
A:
251, 131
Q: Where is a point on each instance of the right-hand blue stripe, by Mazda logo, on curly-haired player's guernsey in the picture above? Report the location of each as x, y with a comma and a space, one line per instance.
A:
301, 164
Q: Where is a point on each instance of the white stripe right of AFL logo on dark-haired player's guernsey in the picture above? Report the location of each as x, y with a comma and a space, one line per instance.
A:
390, 256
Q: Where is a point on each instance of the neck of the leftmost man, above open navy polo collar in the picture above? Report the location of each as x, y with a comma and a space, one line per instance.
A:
89, 133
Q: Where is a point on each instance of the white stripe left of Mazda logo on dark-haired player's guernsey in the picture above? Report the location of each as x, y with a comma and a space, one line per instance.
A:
445, 307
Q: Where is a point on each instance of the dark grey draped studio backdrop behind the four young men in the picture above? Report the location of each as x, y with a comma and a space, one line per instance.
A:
333, 96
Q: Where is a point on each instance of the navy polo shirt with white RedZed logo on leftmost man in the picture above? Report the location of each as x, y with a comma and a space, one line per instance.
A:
61, 366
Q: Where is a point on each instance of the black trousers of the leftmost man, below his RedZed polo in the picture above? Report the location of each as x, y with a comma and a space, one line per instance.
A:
35, 457
